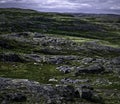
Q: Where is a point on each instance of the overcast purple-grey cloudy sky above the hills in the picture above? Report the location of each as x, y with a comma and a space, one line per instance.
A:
89, 6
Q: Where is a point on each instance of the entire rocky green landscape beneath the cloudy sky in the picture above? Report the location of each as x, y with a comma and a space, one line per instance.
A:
63, 59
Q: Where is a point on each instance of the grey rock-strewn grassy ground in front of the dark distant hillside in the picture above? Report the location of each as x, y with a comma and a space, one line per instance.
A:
69, 72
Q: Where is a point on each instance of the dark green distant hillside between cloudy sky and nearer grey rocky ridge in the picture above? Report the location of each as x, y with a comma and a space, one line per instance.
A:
97, 26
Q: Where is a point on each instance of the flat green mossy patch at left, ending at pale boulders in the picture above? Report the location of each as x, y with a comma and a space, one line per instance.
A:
40, 72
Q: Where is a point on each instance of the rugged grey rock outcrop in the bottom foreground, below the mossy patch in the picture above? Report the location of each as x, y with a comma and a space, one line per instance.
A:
23, 90
